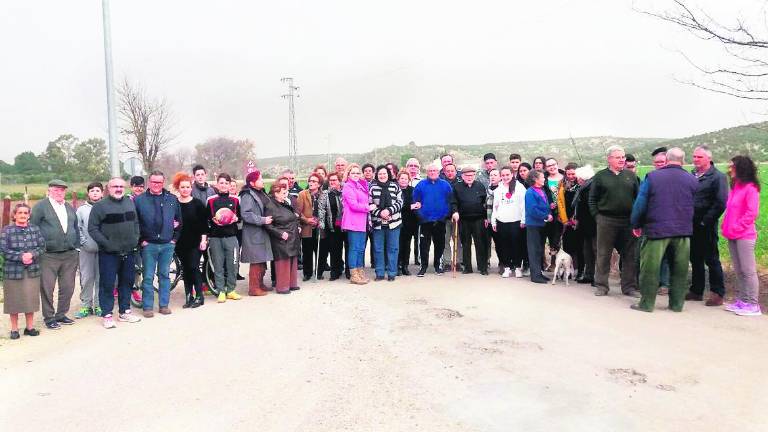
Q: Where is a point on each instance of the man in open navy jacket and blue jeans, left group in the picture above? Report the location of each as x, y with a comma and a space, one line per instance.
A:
159, 216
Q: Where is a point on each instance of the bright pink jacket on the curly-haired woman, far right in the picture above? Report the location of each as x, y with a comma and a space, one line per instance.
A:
741, 212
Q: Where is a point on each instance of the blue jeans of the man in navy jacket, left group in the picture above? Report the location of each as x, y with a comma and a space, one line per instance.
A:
156, 258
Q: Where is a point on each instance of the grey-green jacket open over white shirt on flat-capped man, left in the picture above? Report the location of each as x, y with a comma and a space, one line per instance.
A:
56, 240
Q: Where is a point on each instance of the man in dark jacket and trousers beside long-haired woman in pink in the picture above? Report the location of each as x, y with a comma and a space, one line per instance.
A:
708, 206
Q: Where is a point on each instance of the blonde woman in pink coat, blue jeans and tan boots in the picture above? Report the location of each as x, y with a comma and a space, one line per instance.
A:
354, 221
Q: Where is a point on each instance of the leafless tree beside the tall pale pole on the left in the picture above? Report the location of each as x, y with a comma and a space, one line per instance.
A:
146, 124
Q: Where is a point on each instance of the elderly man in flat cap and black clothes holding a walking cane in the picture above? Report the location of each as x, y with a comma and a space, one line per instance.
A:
468, 209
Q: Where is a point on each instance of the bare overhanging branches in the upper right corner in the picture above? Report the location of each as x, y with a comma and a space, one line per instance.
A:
743, 70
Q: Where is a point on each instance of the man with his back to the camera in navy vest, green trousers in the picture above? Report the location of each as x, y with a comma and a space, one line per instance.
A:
663, 212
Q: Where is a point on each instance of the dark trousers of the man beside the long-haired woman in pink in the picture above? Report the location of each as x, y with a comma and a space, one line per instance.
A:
704, 251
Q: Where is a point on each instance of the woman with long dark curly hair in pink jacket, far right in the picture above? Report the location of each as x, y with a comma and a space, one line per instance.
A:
738, 227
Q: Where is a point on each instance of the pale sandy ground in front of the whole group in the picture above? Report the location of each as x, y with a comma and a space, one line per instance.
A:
421, 354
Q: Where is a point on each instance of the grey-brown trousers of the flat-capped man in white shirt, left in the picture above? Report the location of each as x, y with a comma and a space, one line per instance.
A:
58, 267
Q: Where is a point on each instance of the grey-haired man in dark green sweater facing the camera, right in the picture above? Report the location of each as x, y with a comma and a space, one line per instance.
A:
611, 198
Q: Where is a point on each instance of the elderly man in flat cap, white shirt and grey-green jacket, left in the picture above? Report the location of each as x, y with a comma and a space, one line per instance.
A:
57, 221
